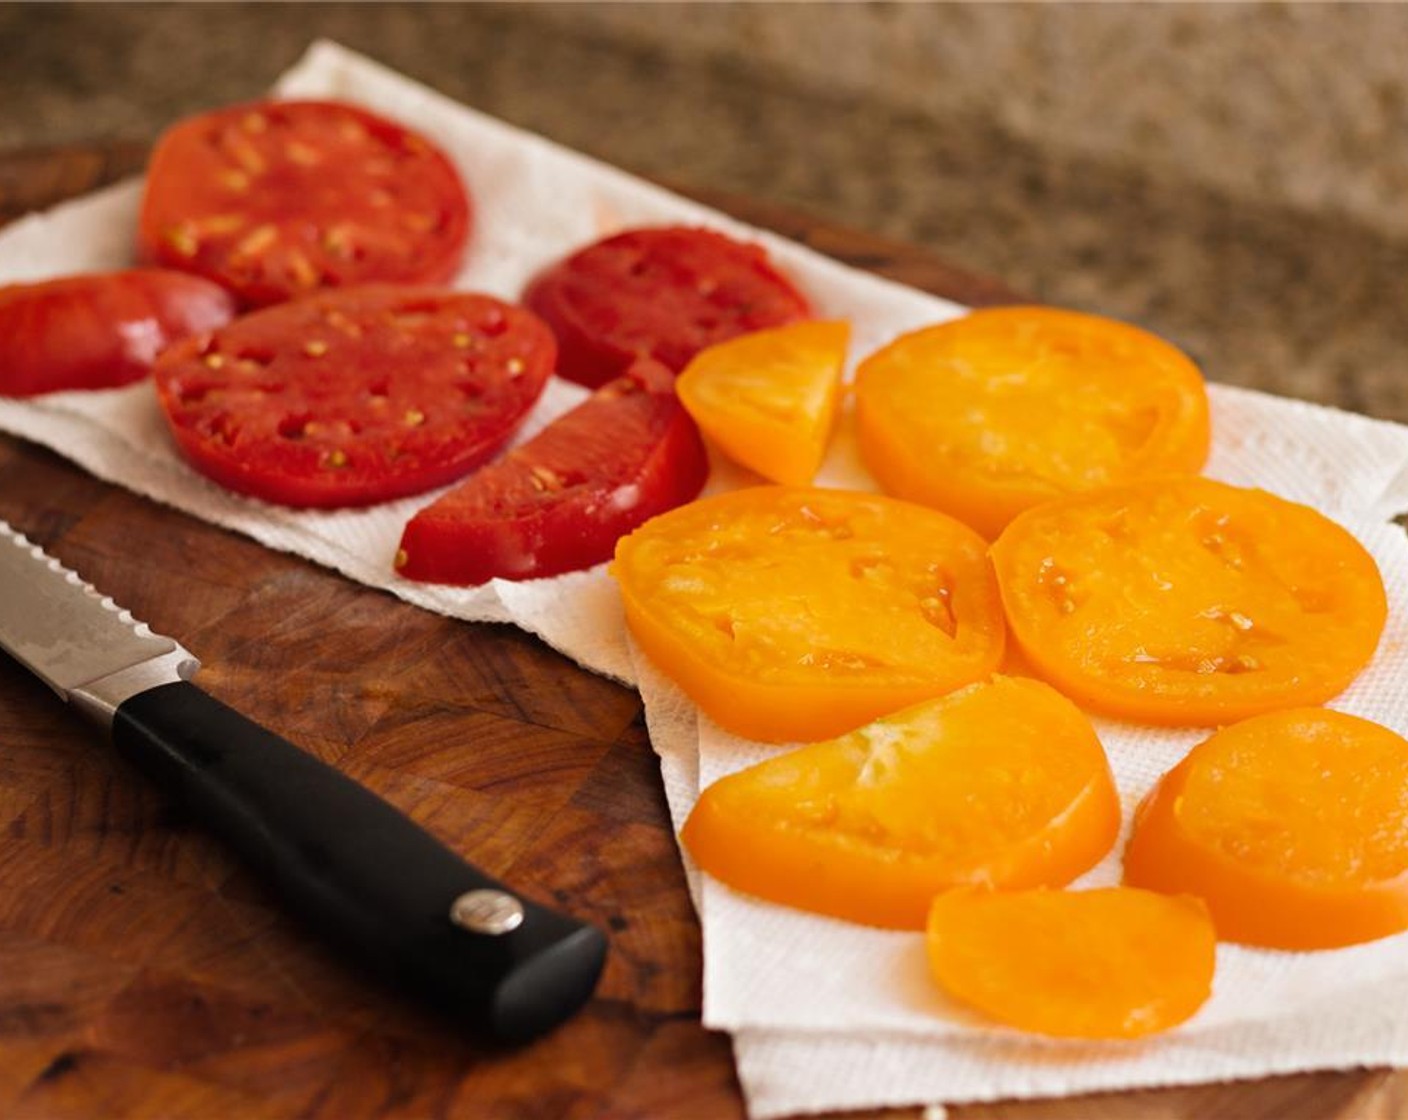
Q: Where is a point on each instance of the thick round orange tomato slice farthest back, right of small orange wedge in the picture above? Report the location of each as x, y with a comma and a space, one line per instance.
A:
998, 412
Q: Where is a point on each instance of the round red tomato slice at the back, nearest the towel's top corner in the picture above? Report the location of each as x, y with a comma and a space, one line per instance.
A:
275, 199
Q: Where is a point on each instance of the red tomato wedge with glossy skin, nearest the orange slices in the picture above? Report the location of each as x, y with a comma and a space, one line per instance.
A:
562, 501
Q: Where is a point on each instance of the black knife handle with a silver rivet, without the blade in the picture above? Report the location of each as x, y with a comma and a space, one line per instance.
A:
358, 870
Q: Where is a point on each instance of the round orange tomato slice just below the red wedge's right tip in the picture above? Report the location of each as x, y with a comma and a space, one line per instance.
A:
793, 614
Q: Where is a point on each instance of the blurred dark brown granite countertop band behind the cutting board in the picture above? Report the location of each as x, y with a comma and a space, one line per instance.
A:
1261, 295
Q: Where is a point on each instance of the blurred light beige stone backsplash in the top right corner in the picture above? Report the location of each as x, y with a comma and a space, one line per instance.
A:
1299, 104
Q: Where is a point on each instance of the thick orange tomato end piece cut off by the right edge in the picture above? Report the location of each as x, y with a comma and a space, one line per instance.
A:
1293, 826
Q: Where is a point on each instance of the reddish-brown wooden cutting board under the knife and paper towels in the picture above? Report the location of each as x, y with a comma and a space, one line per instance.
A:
144, 974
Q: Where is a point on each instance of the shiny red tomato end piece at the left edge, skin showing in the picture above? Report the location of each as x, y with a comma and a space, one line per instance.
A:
99, 330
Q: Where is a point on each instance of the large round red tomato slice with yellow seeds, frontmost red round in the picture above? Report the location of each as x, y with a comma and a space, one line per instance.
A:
356, 397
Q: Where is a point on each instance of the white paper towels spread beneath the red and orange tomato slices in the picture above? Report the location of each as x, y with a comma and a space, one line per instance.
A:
824, 1015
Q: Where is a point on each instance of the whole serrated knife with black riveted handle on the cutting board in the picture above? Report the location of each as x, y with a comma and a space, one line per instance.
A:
340, 857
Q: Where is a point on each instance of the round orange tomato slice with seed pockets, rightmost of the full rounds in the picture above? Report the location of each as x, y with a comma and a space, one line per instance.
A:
1186, 601
